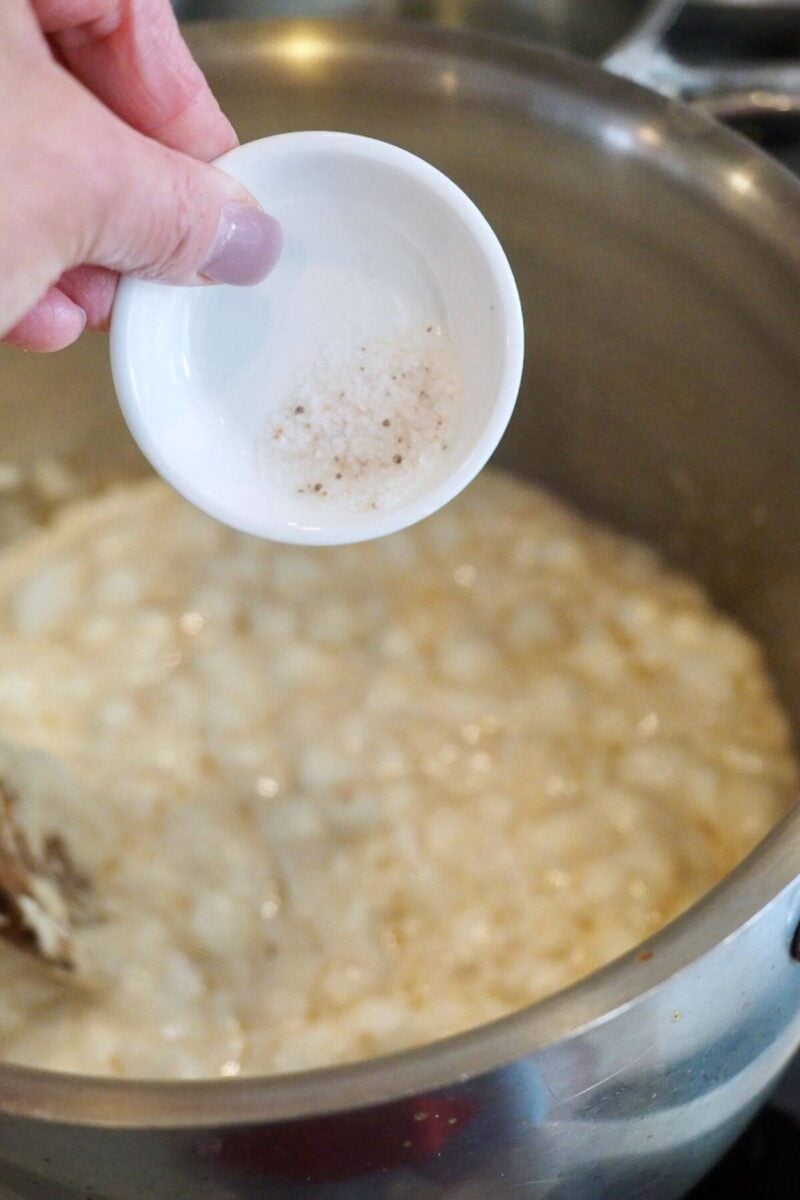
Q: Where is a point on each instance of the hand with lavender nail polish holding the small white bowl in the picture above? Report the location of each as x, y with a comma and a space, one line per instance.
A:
106, 130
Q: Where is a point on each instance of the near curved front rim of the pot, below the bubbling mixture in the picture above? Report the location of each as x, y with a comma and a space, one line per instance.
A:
219, 1103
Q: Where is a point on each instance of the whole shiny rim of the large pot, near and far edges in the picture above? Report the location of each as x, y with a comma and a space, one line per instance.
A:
737, 901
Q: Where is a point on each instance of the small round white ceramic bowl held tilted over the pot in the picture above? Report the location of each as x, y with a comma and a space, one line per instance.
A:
376, 242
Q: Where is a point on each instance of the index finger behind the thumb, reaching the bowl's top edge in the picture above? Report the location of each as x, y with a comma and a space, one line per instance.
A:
131, 56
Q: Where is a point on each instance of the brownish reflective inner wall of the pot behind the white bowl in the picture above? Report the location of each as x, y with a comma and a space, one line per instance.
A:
663, 309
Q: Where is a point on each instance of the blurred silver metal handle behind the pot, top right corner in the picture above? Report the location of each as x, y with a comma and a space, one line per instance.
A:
731, 93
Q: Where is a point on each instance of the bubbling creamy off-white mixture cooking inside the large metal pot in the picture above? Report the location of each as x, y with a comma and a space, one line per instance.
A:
358, 800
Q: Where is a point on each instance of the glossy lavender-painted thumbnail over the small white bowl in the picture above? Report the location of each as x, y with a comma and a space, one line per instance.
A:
248, 247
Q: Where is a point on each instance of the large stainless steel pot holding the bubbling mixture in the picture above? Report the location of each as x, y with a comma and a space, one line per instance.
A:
659, 261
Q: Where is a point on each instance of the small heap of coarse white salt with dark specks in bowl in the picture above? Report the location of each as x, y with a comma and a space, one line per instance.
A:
365, 427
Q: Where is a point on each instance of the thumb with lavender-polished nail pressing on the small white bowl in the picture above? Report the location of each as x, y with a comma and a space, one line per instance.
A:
92, 190
